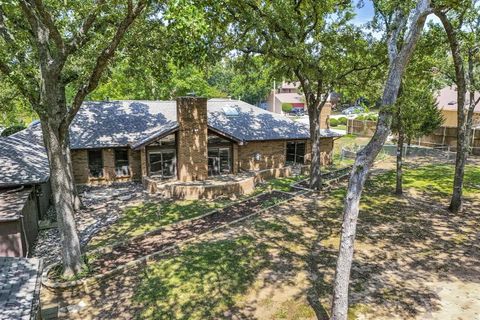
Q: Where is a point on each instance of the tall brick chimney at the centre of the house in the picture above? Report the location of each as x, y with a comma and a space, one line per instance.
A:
192, 143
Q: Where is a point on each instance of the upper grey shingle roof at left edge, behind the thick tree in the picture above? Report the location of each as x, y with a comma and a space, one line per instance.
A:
23, 158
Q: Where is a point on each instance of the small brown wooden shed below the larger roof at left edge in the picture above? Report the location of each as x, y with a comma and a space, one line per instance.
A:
18, 222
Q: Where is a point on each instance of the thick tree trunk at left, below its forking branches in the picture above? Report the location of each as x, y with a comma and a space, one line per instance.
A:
61, 181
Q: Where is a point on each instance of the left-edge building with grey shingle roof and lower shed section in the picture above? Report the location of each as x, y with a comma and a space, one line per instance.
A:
24, 190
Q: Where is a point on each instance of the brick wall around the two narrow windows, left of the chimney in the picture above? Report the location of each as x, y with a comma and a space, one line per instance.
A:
81, 172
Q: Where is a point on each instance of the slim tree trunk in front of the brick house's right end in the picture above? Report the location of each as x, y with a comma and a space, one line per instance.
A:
315, 135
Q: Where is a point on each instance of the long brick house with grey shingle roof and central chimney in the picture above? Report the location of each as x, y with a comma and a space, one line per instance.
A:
188, 139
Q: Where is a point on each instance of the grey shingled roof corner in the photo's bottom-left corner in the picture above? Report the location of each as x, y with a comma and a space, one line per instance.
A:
19, 283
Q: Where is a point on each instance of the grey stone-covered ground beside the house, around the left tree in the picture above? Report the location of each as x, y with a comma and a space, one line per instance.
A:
101, 209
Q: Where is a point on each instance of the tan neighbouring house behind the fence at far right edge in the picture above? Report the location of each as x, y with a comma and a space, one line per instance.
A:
447, 102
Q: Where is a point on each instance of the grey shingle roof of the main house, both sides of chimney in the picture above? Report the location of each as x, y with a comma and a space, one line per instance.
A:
134, 123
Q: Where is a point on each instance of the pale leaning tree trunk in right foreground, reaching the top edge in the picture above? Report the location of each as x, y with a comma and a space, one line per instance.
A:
366, 156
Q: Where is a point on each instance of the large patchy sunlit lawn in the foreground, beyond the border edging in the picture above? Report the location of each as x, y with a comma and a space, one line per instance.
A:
412, 260
